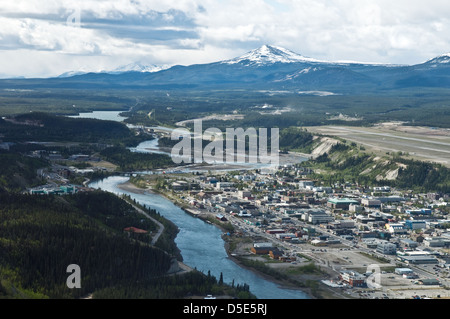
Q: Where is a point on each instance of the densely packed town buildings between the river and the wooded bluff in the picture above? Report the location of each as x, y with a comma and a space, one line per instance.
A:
389, 221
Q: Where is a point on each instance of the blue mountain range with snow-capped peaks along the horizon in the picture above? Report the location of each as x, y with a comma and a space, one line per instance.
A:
267, 67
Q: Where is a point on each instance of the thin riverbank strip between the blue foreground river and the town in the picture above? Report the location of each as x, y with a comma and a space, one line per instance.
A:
282, 283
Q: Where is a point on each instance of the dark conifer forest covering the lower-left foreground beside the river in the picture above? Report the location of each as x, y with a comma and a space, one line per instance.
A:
41, 235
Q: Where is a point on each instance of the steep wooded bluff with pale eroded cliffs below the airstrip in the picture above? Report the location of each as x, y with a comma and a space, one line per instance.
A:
345, 162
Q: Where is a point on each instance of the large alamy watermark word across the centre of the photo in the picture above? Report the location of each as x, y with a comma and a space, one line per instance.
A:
237, 146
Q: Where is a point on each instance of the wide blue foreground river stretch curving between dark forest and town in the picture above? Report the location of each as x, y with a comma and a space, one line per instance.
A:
201, 244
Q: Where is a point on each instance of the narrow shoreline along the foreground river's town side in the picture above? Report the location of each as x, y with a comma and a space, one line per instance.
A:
129, 187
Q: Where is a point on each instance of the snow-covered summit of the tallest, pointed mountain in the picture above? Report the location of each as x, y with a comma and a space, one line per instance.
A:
269, 54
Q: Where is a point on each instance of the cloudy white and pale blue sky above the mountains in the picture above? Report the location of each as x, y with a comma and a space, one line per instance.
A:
49, 37
